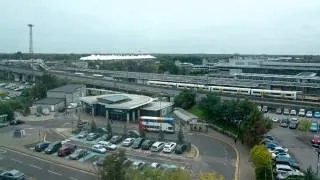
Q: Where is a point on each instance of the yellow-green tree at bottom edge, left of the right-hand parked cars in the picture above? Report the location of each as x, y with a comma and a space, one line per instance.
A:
262, 161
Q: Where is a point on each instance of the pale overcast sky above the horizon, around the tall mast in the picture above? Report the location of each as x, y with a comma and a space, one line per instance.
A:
162, 26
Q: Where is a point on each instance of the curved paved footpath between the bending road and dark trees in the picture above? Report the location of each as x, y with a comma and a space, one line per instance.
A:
245, 167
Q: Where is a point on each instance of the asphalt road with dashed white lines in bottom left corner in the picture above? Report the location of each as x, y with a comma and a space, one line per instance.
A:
37, 169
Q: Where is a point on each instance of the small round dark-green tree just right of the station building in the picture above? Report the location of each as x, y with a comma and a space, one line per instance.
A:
185, 99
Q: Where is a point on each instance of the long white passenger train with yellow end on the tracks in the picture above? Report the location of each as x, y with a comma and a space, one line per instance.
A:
231, 90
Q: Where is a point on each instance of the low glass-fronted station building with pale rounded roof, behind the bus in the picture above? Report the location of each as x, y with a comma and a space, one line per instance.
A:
124, 107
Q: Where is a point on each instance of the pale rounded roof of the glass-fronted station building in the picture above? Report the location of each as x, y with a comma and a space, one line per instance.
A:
134, 101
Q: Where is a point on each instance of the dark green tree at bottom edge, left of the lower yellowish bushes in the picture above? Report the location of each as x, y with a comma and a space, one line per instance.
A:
114, 166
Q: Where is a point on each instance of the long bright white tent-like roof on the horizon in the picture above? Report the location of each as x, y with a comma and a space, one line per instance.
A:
115, 57
